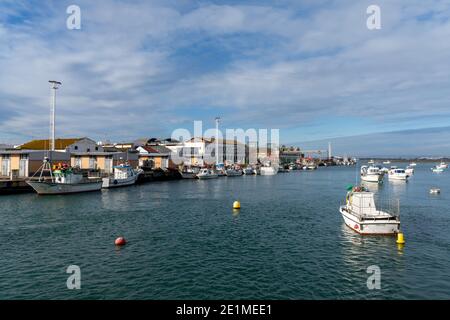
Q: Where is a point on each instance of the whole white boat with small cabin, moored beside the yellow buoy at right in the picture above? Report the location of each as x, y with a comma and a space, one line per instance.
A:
361, 214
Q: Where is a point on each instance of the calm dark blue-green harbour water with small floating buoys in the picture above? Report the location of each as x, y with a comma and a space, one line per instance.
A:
185, 242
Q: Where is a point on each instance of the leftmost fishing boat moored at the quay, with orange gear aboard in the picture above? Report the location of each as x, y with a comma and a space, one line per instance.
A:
62, 181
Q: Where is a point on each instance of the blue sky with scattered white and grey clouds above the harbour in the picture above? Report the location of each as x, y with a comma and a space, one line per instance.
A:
310, 68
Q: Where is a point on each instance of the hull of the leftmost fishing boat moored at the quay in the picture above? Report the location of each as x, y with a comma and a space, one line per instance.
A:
49, 188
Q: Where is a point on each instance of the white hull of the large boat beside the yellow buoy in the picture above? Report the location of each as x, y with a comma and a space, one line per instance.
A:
370, 226
